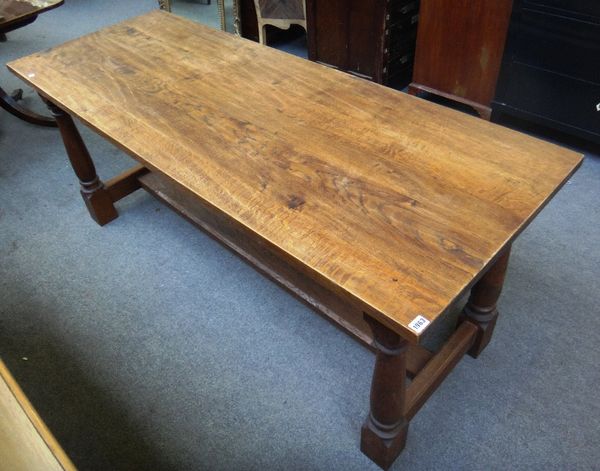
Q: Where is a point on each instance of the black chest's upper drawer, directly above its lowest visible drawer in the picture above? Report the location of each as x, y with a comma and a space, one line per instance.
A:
558, 44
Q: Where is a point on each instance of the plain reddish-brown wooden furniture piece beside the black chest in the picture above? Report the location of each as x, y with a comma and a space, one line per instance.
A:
459, 50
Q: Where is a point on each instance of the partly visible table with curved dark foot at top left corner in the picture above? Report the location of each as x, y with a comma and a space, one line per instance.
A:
15, 14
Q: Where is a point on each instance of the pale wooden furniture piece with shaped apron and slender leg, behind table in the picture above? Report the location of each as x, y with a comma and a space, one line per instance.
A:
279, 13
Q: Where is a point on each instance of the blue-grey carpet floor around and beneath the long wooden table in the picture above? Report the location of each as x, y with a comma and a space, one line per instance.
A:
146, 345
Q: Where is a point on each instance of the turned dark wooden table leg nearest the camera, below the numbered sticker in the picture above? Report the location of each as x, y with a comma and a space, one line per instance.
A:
383, 434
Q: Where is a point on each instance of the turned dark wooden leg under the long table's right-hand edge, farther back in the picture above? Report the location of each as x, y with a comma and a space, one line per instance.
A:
481, 308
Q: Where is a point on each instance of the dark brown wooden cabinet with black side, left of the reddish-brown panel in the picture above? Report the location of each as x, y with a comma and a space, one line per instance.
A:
371, 39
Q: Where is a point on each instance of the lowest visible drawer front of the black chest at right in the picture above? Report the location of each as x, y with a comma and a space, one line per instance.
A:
565, 100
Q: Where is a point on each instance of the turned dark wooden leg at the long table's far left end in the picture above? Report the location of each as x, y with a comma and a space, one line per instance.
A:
96, 197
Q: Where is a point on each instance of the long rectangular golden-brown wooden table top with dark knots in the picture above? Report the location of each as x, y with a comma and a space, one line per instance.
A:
393, 202
